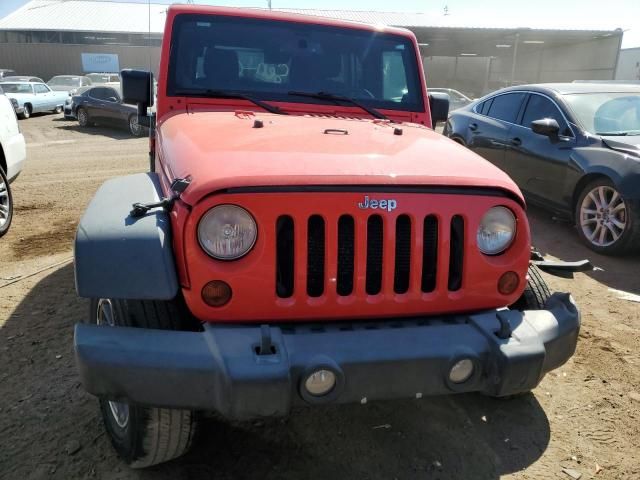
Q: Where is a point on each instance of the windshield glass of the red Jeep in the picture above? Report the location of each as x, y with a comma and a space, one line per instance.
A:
268, 59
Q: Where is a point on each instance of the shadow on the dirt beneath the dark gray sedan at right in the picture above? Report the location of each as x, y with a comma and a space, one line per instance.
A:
560, 239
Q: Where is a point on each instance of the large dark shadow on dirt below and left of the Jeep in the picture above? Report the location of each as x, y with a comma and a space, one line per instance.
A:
51, 427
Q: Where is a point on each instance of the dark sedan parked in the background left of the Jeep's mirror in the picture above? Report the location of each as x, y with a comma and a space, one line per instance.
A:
104, 105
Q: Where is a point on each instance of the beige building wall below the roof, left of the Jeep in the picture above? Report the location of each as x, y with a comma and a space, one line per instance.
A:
48, 59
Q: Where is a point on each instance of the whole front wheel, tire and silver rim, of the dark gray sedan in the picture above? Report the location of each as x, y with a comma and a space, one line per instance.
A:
606, 222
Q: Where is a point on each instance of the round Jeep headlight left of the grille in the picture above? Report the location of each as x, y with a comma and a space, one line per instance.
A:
227, 232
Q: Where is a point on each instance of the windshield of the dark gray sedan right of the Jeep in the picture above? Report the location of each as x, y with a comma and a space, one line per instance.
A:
607, 113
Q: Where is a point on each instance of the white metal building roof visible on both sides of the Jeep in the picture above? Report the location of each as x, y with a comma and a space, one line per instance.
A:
111, 16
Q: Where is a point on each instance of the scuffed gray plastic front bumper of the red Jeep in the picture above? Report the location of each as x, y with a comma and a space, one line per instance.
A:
219, 369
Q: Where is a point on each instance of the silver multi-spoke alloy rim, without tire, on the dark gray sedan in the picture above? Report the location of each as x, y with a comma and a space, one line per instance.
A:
603, 216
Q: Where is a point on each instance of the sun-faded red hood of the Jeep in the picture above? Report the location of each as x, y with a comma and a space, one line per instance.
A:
222, 150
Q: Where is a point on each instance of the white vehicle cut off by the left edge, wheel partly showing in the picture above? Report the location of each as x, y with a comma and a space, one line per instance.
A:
12, 157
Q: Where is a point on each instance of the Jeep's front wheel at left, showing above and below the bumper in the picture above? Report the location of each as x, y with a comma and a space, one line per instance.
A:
143, 436
